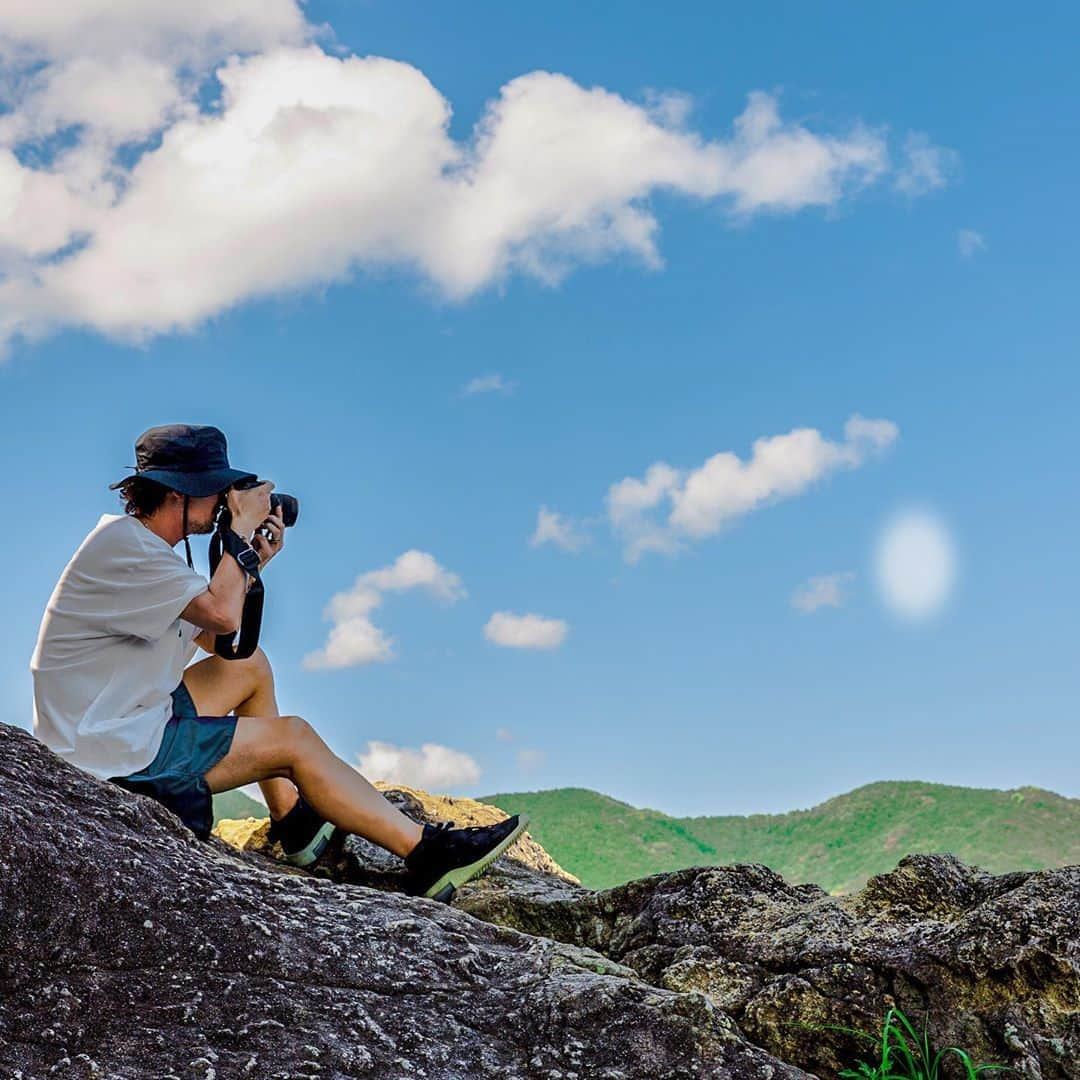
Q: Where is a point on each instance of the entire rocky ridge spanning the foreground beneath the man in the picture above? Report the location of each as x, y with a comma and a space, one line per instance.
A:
130, 950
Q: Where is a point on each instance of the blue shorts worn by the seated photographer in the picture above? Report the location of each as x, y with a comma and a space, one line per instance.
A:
192, 746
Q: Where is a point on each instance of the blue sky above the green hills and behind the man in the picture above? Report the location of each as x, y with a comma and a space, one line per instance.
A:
934, 293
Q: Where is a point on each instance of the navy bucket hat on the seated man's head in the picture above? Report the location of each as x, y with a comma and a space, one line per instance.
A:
192, 460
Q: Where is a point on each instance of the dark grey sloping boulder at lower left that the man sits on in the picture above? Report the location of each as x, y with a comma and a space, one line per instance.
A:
131, 950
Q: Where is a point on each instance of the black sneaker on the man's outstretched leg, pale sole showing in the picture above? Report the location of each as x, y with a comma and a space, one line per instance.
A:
447, 857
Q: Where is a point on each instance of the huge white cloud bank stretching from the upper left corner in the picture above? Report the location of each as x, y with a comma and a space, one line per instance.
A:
312, 168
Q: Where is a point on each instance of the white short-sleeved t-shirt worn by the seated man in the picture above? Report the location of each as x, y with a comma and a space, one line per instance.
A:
113, 647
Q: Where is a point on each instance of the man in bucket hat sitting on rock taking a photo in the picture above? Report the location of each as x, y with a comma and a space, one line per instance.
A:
113, 695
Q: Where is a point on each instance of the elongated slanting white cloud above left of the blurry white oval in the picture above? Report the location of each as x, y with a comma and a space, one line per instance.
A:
705, 501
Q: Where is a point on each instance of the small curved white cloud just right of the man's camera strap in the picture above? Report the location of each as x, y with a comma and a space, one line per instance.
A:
355, 640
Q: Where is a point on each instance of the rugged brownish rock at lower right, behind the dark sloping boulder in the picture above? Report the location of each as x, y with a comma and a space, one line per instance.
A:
992, 963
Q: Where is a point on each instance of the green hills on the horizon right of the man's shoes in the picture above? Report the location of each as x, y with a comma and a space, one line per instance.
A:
838, 845
